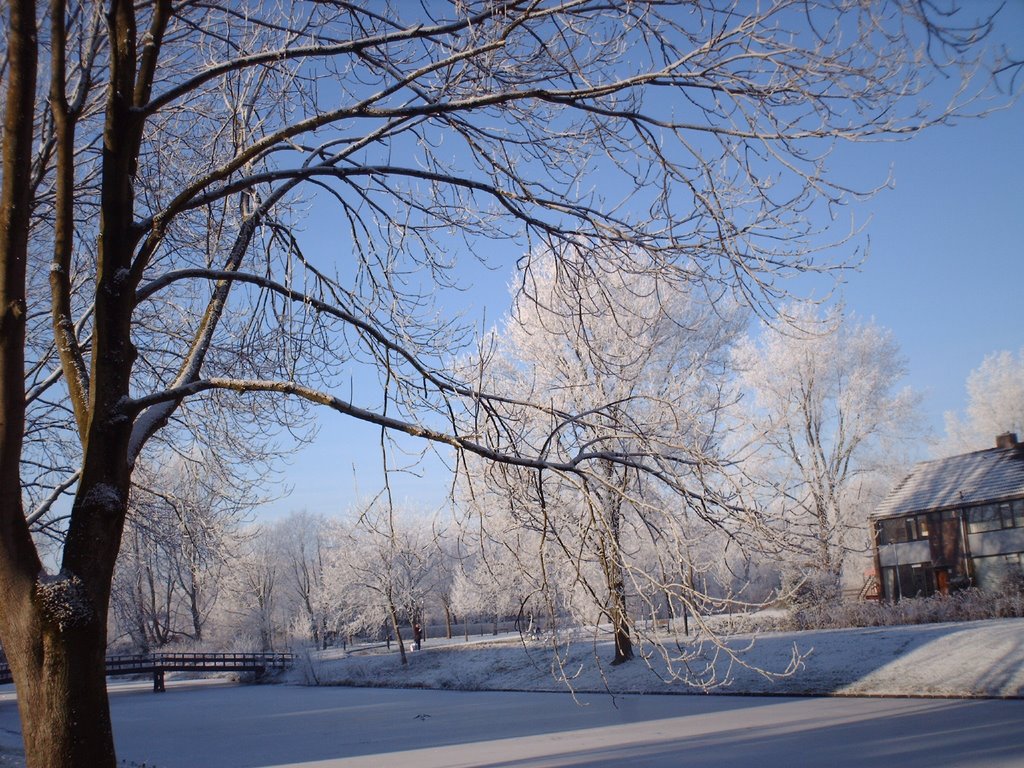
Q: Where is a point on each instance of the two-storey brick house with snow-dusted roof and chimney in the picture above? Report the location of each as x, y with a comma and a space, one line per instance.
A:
953, 523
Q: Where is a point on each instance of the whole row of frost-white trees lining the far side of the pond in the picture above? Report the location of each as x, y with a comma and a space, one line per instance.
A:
812, 415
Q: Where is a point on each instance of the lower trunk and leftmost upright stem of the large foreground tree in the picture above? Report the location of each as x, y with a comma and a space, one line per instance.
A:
54, 634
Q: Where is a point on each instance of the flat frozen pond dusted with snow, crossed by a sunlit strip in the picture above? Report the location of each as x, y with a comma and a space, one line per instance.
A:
231, 727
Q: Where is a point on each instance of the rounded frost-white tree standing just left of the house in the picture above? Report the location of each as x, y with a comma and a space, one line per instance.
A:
826, 418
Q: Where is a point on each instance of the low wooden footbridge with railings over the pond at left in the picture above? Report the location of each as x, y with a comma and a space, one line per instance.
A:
159, 664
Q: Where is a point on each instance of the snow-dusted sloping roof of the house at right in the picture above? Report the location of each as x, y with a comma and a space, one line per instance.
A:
958, 481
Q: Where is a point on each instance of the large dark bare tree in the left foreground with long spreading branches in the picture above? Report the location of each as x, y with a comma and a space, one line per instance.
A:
157, 187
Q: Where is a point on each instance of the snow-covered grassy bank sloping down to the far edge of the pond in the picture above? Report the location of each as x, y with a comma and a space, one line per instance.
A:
975, 659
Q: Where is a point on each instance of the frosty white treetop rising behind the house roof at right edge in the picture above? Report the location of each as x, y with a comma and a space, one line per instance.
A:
996, 405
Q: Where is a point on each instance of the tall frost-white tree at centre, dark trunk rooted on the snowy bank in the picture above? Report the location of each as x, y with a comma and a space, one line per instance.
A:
641, 366
